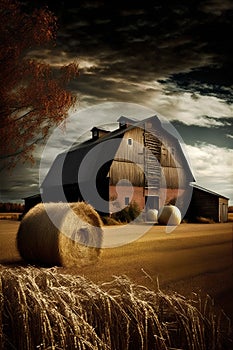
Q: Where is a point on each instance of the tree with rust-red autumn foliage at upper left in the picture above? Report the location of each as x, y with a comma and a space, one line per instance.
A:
33, 95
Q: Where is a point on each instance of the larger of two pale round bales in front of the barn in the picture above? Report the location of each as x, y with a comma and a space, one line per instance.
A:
169, 215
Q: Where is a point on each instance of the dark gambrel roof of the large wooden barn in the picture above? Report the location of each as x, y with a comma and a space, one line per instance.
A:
68, 163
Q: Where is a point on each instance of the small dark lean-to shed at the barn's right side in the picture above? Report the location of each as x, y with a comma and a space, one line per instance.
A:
207, 204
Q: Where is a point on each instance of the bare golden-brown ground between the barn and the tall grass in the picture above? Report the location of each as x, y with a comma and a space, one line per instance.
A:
194, 258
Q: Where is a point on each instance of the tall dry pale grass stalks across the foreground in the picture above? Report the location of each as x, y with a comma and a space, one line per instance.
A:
45, 309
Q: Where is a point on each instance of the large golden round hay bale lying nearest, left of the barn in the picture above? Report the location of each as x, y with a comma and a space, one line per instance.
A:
76, 239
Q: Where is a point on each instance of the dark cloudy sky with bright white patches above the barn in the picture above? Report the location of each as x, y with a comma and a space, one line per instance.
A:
173, 58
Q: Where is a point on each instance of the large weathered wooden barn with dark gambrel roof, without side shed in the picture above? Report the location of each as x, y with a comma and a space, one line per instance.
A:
140, 153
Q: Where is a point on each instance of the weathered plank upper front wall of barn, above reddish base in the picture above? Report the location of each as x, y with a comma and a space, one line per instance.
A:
159, 160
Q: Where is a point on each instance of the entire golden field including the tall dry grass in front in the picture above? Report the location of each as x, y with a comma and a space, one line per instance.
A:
192, 262
